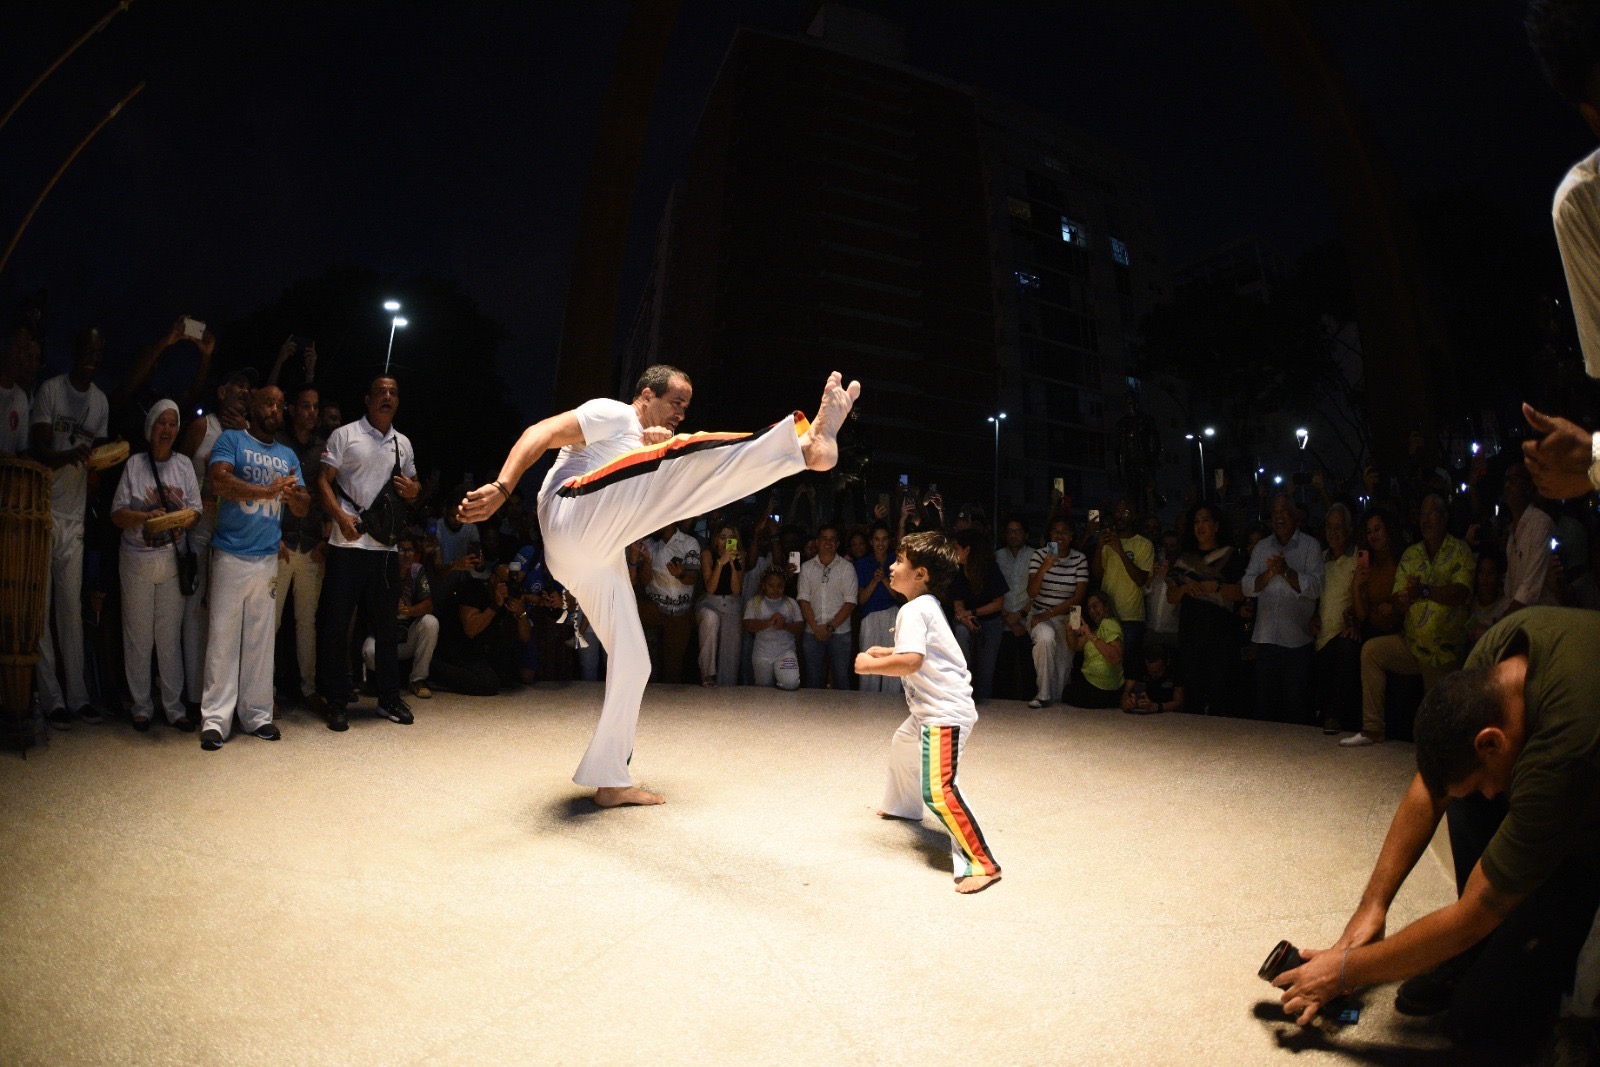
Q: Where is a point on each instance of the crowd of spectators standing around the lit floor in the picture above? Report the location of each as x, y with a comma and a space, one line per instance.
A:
1321, 604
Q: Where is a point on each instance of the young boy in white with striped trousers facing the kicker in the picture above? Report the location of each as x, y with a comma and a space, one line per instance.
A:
929, 745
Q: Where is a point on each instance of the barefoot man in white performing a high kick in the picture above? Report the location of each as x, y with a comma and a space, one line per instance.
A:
625, 473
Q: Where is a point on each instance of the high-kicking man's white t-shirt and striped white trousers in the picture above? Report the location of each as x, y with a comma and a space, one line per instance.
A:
612, 492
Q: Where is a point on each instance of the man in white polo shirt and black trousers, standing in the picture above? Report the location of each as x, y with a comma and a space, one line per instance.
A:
358, 465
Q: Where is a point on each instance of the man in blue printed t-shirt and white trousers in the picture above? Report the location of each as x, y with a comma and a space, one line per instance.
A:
254, 478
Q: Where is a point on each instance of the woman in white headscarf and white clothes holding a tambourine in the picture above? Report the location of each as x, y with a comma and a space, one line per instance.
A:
153, 607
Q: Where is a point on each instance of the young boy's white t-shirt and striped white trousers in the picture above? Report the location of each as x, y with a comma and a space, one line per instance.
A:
927, 749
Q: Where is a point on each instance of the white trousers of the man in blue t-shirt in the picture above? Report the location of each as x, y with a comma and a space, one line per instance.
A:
239, 645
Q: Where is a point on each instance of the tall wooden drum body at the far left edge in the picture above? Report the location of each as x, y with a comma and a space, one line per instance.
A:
25, 575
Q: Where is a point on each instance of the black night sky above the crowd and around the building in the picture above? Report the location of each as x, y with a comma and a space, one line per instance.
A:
278, 140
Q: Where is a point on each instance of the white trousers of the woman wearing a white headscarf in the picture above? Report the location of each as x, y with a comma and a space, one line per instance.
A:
153, 612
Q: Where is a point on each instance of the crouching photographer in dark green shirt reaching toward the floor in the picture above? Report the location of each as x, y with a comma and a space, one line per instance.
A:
1506, 748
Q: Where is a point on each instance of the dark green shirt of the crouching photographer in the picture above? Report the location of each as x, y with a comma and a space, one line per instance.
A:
1556, 785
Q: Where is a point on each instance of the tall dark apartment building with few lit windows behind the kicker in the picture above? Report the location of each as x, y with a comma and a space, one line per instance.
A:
958, 254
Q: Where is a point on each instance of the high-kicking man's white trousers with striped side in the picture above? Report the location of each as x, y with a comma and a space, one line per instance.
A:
585, 541
